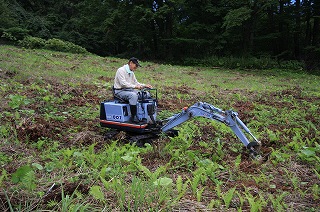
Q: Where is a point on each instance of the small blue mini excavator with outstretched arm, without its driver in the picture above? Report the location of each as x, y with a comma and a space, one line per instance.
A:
115, 114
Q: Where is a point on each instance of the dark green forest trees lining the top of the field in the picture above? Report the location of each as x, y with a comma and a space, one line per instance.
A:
173, 30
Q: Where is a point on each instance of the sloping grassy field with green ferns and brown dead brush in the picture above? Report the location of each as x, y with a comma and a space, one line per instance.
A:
54, 156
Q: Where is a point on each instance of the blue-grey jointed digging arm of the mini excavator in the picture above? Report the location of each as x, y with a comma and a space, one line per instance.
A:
229, 118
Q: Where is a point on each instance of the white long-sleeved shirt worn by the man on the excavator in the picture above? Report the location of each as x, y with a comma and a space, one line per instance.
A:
125, 78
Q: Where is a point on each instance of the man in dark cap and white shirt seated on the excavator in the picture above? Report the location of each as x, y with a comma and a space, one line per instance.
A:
126, 86
